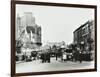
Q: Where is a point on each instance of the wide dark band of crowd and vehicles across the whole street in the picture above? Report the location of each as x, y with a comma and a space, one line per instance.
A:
62, 53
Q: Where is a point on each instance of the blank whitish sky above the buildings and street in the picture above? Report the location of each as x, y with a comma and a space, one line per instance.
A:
58, 23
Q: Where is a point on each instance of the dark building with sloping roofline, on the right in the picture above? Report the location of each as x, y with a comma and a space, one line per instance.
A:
84, 36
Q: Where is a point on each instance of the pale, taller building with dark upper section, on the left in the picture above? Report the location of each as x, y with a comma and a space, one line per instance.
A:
27, 31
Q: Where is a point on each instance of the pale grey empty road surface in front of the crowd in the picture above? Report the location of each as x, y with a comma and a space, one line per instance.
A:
37, 66
